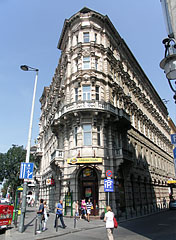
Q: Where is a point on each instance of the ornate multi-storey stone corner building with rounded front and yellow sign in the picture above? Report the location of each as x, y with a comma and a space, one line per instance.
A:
102, 113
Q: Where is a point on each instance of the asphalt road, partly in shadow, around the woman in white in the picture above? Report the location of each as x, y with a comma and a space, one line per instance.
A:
160, 226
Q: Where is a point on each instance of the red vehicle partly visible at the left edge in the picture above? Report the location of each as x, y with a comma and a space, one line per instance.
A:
6, 213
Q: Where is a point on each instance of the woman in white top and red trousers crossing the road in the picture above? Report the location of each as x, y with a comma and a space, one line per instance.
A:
109, 219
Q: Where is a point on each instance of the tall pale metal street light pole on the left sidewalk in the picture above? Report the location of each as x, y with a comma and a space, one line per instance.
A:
23, 206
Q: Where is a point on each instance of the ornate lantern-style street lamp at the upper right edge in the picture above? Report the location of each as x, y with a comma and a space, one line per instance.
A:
169, 62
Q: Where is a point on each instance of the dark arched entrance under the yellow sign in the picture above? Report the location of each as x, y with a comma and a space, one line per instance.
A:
88, 187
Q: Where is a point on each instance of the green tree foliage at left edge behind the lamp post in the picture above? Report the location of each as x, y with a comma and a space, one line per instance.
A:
10, 163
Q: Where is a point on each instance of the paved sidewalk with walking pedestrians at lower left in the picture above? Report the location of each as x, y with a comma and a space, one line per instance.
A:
81, 225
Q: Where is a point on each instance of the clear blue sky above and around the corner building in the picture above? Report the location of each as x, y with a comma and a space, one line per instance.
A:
29, 33
